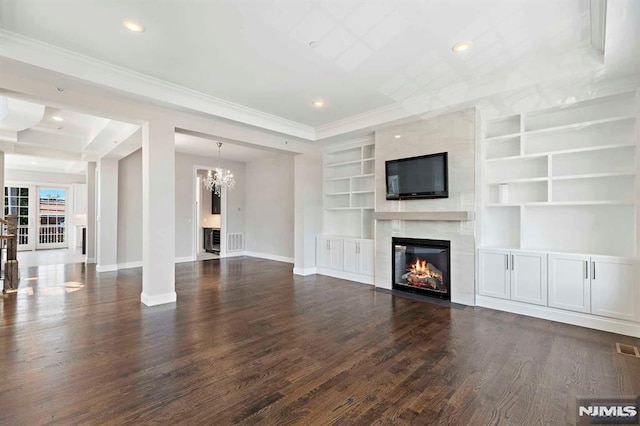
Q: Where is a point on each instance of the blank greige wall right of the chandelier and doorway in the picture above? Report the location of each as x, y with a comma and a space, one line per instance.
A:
269, 221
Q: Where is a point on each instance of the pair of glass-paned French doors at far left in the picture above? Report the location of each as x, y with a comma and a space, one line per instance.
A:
42, 215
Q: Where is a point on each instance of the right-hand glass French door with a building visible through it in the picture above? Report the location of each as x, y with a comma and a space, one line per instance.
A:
52, 215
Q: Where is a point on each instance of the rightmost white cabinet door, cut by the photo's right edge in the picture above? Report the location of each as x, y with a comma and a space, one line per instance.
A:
613, 288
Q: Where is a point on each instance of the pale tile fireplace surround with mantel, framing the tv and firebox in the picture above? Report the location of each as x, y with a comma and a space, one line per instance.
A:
437, 219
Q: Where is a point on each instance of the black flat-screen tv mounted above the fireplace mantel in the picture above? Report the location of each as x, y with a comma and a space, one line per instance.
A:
418, 177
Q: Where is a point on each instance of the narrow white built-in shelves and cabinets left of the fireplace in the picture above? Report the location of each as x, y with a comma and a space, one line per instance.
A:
345, 248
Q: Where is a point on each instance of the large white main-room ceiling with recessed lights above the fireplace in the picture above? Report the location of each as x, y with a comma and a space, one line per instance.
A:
370, 54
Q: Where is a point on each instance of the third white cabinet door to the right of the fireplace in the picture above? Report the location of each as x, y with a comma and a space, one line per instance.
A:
569, 286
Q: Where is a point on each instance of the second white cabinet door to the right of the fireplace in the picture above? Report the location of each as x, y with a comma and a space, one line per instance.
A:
529, 277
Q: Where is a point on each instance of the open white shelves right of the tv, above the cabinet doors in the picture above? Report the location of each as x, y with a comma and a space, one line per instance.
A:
571, 175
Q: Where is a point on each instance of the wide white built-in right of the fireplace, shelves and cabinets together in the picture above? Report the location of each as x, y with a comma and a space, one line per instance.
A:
559, 214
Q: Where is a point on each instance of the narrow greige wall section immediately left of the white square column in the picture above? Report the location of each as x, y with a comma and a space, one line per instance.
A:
130, 208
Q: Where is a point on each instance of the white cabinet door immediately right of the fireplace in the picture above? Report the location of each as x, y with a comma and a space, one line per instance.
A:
494, 274
